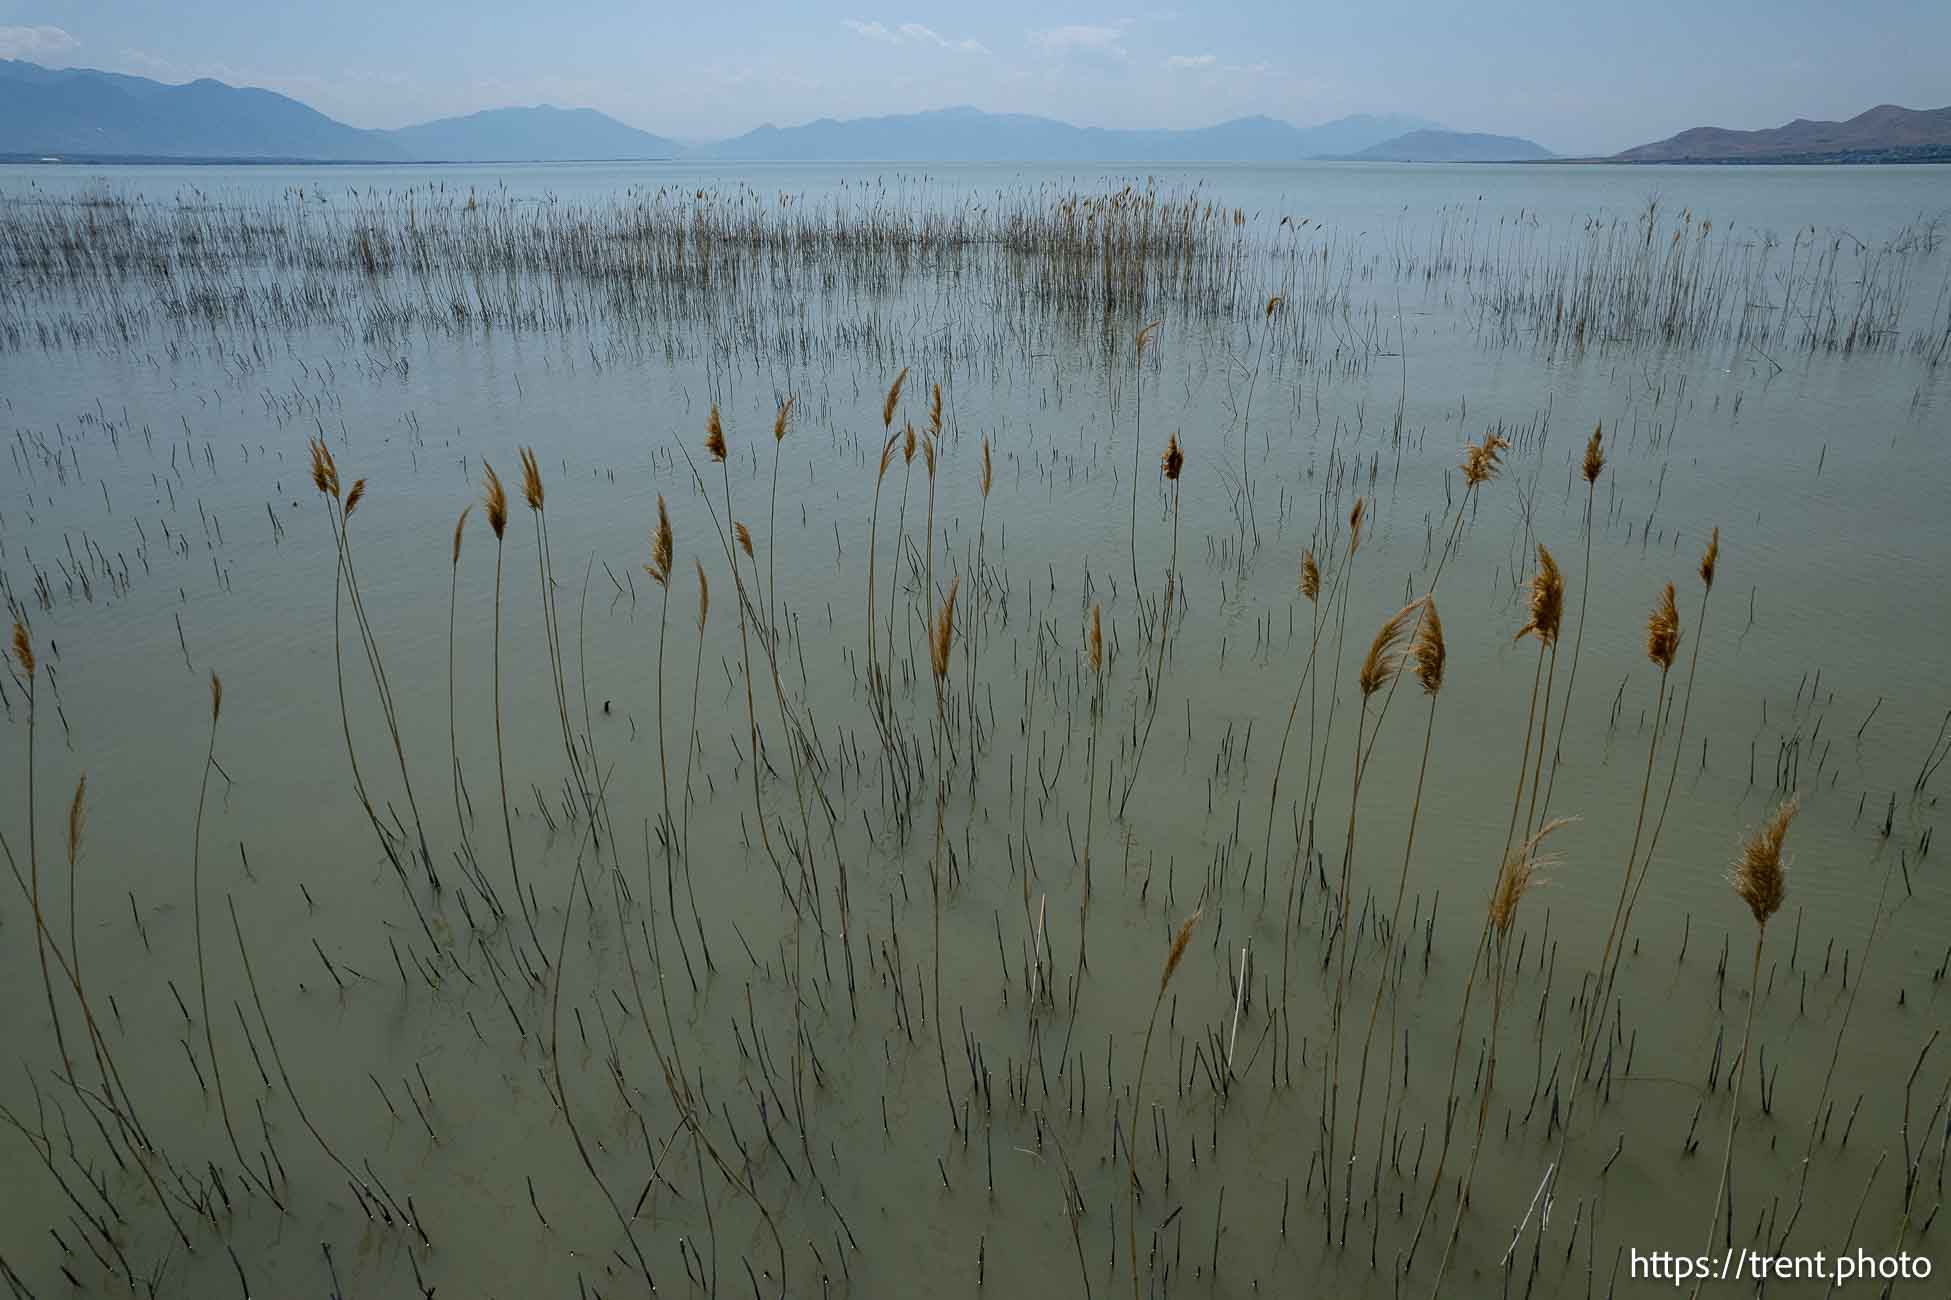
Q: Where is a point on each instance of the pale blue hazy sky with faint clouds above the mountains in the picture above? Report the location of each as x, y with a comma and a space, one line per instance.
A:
1573, 77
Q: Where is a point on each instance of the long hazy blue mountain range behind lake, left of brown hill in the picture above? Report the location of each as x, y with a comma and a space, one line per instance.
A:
87, 114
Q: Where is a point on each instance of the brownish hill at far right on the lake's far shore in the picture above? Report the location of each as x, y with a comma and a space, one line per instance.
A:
1886, 134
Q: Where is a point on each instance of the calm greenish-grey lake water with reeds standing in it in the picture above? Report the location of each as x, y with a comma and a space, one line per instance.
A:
506, 1100
